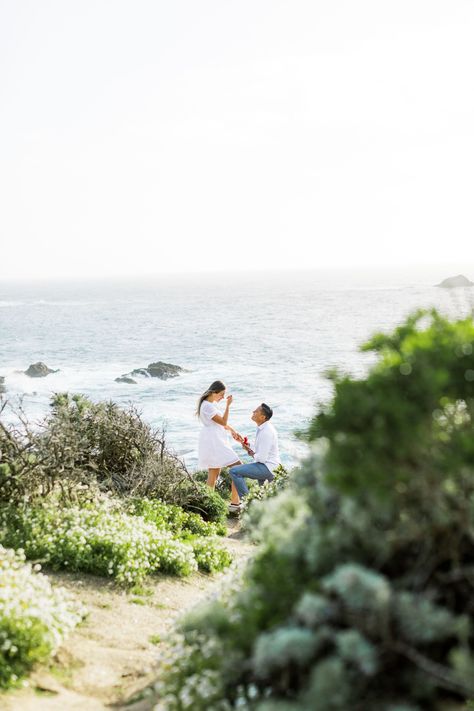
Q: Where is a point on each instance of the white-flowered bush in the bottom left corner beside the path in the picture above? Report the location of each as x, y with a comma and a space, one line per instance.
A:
34, 617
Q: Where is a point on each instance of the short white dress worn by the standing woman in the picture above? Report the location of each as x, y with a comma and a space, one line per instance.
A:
214, 441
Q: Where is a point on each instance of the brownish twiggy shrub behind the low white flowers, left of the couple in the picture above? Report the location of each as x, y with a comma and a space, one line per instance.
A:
83, 445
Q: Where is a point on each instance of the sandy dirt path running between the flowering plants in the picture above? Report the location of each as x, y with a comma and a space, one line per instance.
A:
114, 652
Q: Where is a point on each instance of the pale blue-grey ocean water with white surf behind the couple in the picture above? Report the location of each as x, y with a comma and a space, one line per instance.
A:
270, 337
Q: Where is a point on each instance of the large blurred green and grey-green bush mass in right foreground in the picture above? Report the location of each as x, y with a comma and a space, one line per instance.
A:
361, 593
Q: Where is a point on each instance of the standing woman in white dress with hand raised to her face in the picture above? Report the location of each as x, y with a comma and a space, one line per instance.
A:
215, 451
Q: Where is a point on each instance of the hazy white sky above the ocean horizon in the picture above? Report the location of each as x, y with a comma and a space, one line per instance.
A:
185, 135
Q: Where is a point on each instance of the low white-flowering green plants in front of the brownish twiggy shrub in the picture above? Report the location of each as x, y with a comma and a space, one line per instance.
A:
102, 538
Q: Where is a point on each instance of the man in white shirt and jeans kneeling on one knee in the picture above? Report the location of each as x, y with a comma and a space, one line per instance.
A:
265, 454
